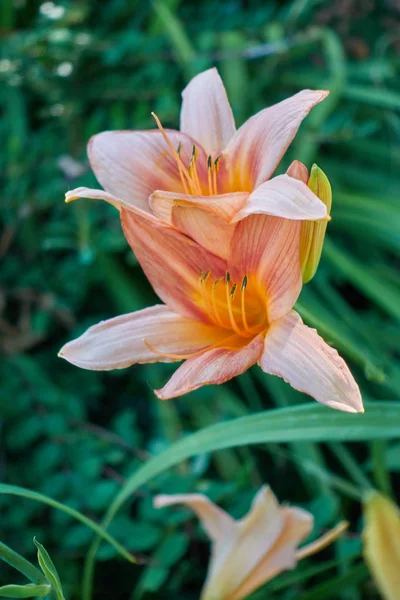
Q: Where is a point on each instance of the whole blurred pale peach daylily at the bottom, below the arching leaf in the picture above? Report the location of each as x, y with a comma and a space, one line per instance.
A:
249, 552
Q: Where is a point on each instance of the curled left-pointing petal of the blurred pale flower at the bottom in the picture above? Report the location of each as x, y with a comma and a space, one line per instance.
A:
218, 524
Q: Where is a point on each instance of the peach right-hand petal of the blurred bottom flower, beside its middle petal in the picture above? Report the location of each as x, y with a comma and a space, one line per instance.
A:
297, 525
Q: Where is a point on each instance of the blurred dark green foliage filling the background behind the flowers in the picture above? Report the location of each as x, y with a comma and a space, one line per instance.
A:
73, 68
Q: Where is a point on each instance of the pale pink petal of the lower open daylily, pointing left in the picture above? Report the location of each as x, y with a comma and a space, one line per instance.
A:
119, 342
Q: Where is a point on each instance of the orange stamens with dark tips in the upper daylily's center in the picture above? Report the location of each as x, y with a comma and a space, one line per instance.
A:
189, 176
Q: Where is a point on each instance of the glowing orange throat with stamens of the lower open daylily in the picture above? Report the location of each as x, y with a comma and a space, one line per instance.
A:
239, 307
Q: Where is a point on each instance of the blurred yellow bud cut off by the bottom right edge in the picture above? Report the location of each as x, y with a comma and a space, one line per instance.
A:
381, 539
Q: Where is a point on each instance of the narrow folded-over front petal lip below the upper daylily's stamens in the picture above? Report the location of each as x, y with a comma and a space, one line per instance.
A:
221, 205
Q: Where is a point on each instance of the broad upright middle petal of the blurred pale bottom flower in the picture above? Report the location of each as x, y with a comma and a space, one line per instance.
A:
255, 534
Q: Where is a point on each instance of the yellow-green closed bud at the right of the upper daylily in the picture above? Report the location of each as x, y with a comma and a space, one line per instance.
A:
313, 232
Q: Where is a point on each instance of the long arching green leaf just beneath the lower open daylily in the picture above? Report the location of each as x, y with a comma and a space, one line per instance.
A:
308, 422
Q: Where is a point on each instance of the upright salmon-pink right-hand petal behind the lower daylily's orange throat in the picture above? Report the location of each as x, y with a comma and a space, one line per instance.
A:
268, 248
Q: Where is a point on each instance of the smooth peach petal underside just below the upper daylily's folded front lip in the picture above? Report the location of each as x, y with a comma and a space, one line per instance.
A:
208, 230
